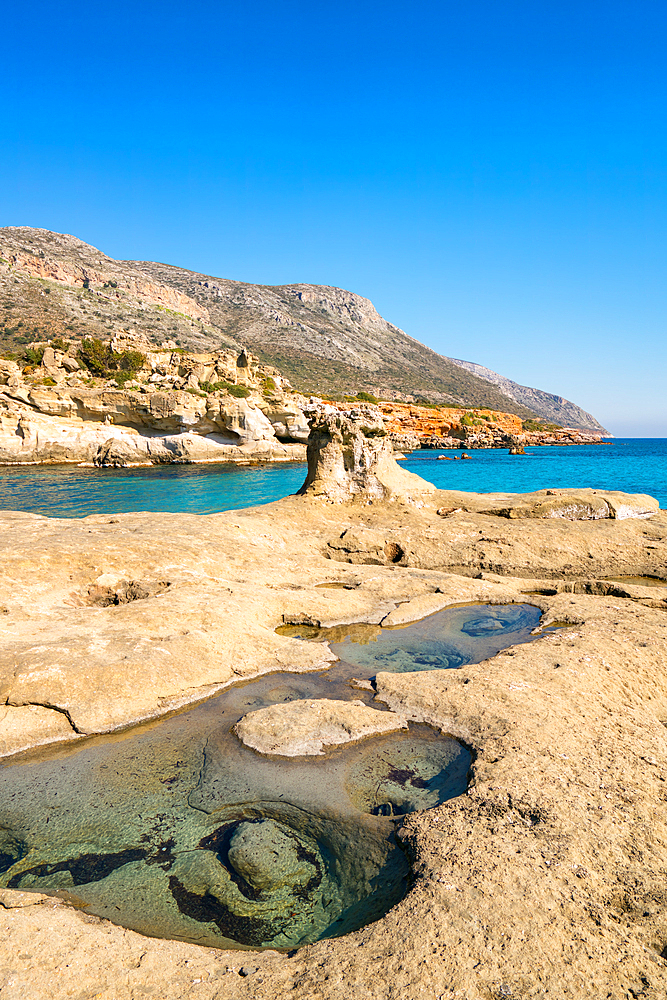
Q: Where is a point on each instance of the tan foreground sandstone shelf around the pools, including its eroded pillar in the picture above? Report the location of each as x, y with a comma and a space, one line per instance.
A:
546, 879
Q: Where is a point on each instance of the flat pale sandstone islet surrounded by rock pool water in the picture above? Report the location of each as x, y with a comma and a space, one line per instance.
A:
305, 728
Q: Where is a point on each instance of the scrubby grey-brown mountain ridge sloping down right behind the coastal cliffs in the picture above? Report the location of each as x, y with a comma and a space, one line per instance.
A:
326, 340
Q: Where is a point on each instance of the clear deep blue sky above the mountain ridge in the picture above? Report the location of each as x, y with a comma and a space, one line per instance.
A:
491, 174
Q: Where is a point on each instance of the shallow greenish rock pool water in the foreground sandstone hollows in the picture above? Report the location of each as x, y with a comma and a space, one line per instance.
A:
177, 830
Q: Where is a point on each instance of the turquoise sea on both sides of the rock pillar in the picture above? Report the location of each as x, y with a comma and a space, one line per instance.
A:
634, 465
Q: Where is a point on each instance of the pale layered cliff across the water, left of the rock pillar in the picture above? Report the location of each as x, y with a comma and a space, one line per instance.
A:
178, 407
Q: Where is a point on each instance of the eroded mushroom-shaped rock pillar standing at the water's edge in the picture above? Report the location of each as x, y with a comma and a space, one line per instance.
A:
351, 457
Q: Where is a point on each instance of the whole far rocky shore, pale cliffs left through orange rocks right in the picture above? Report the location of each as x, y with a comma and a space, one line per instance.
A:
177, 406
